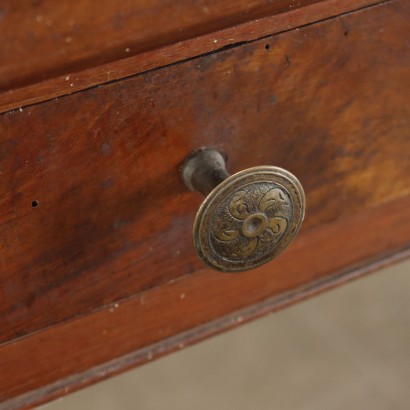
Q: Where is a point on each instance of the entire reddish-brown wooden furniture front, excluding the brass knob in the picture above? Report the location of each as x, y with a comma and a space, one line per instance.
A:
97, 268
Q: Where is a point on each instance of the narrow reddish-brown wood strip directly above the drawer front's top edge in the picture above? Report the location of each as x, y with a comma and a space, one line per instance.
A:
110, 73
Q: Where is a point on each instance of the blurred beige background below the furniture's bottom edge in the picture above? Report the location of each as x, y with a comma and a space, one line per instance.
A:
346, 349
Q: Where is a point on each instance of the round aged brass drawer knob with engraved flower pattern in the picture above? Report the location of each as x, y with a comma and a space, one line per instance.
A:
246, 219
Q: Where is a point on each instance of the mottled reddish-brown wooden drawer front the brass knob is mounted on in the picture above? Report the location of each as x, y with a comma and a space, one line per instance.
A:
113, 217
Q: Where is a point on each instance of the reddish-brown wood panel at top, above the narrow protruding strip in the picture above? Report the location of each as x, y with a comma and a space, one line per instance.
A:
54, 37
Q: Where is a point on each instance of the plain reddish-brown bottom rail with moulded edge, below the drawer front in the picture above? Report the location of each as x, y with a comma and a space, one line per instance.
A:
140, 329
